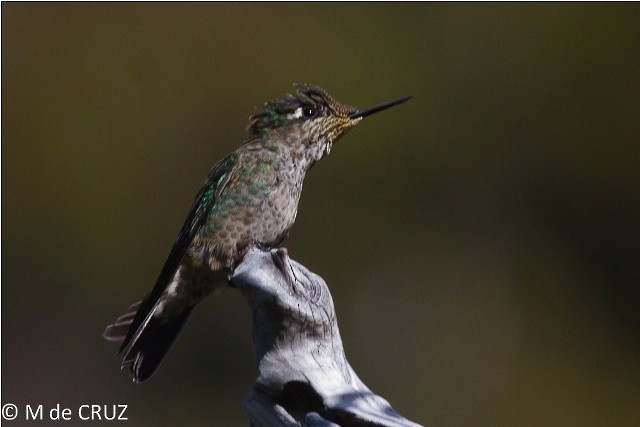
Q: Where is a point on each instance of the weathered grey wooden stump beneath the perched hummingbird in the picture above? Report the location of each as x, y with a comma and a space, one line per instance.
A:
304, 376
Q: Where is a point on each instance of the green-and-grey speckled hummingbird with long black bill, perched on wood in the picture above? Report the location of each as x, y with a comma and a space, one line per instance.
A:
249, 199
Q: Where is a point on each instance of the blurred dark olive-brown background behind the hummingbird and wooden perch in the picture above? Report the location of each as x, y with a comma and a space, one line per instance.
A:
482, 242
